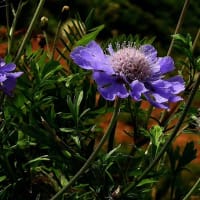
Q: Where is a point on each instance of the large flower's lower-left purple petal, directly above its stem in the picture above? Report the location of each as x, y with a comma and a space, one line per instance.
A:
109, 86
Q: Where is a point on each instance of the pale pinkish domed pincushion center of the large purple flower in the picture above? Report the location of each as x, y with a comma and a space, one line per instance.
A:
130, 63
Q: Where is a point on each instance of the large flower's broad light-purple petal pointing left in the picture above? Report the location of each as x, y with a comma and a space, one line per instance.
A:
91, 57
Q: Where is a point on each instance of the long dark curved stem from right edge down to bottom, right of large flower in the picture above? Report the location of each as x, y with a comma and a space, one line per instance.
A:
175, 131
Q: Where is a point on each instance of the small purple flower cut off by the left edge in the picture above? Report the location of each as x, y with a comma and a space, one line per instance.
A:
7, 77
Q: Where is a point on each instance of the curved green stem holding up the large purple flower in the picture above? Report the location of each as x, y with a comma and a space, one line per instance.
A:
94, 154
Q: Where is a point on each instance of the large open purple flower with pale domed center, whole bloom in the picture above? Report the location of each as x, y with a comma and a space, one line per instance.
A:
130, 70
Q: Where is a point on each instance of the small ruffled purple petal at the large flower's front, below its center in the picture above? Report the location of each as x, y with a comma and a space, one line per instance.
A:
137, 89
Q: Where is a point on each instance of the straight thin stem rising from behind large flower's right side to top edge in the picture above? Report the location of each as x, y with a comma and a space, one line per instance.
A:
178, 26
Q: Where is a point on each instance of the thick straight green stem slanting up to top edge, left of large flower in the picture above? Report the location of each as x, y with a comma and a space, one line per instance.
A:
30, 29
